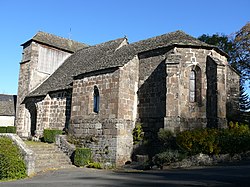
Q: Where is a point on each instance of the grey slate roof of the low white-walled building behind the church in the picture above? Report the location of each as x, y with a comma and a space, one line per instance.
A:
7, 105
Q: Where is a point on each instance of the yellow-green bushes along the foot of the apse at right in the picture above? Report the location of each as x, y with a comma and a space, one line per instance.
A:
233, 140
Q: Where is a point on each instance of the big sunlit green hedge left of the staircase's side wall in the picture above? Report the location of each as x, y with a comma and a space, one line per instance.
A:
12, 165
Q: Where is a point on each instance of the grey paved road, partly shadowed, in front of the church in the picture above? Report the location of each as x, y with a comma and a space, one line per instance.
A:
234, 175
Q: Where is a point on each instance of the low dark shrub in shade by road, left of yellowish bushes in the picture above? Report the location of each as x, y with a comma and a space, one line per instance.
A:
166, 157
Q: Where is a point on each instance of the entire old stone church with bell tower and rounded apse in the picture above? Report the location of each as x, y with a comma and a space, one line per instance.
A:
99, 92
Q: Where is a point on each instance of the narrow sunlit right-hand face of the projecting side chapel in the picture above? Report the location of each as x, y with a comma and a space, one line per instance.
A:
127, 110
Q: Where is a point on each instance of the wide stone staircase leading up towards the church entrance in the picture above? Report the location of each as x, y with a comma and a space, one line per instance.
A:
48, 156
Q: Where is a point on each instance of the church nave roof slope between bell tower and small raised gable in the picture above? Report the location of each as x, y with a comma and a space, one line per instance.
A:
85, 60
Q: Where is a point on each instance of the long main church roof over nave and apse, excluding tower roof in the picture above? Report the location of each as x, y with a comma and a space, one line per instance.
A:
106, 55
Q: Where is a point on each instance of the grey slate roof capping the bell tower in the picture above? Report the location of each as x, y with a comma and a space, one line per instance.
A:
57, 42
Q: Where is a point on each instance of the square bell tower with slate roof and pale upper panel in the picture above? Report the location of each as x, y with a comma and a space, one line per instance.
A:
41, 56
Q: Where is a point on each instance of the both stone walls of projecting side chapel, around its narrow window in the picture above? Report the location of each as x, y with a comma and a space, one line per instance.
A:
109, 132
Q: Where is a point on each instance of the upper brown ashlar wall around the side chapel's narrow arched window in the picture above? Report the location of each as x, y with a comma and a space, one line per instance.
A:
83, 97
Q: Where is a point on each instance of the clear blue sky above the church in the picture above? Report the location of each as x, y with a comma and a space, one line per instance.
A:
96, 21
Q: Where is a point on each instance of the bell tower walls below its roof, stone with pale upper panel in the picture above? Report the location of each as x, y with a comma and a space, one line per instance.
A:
35, 58
